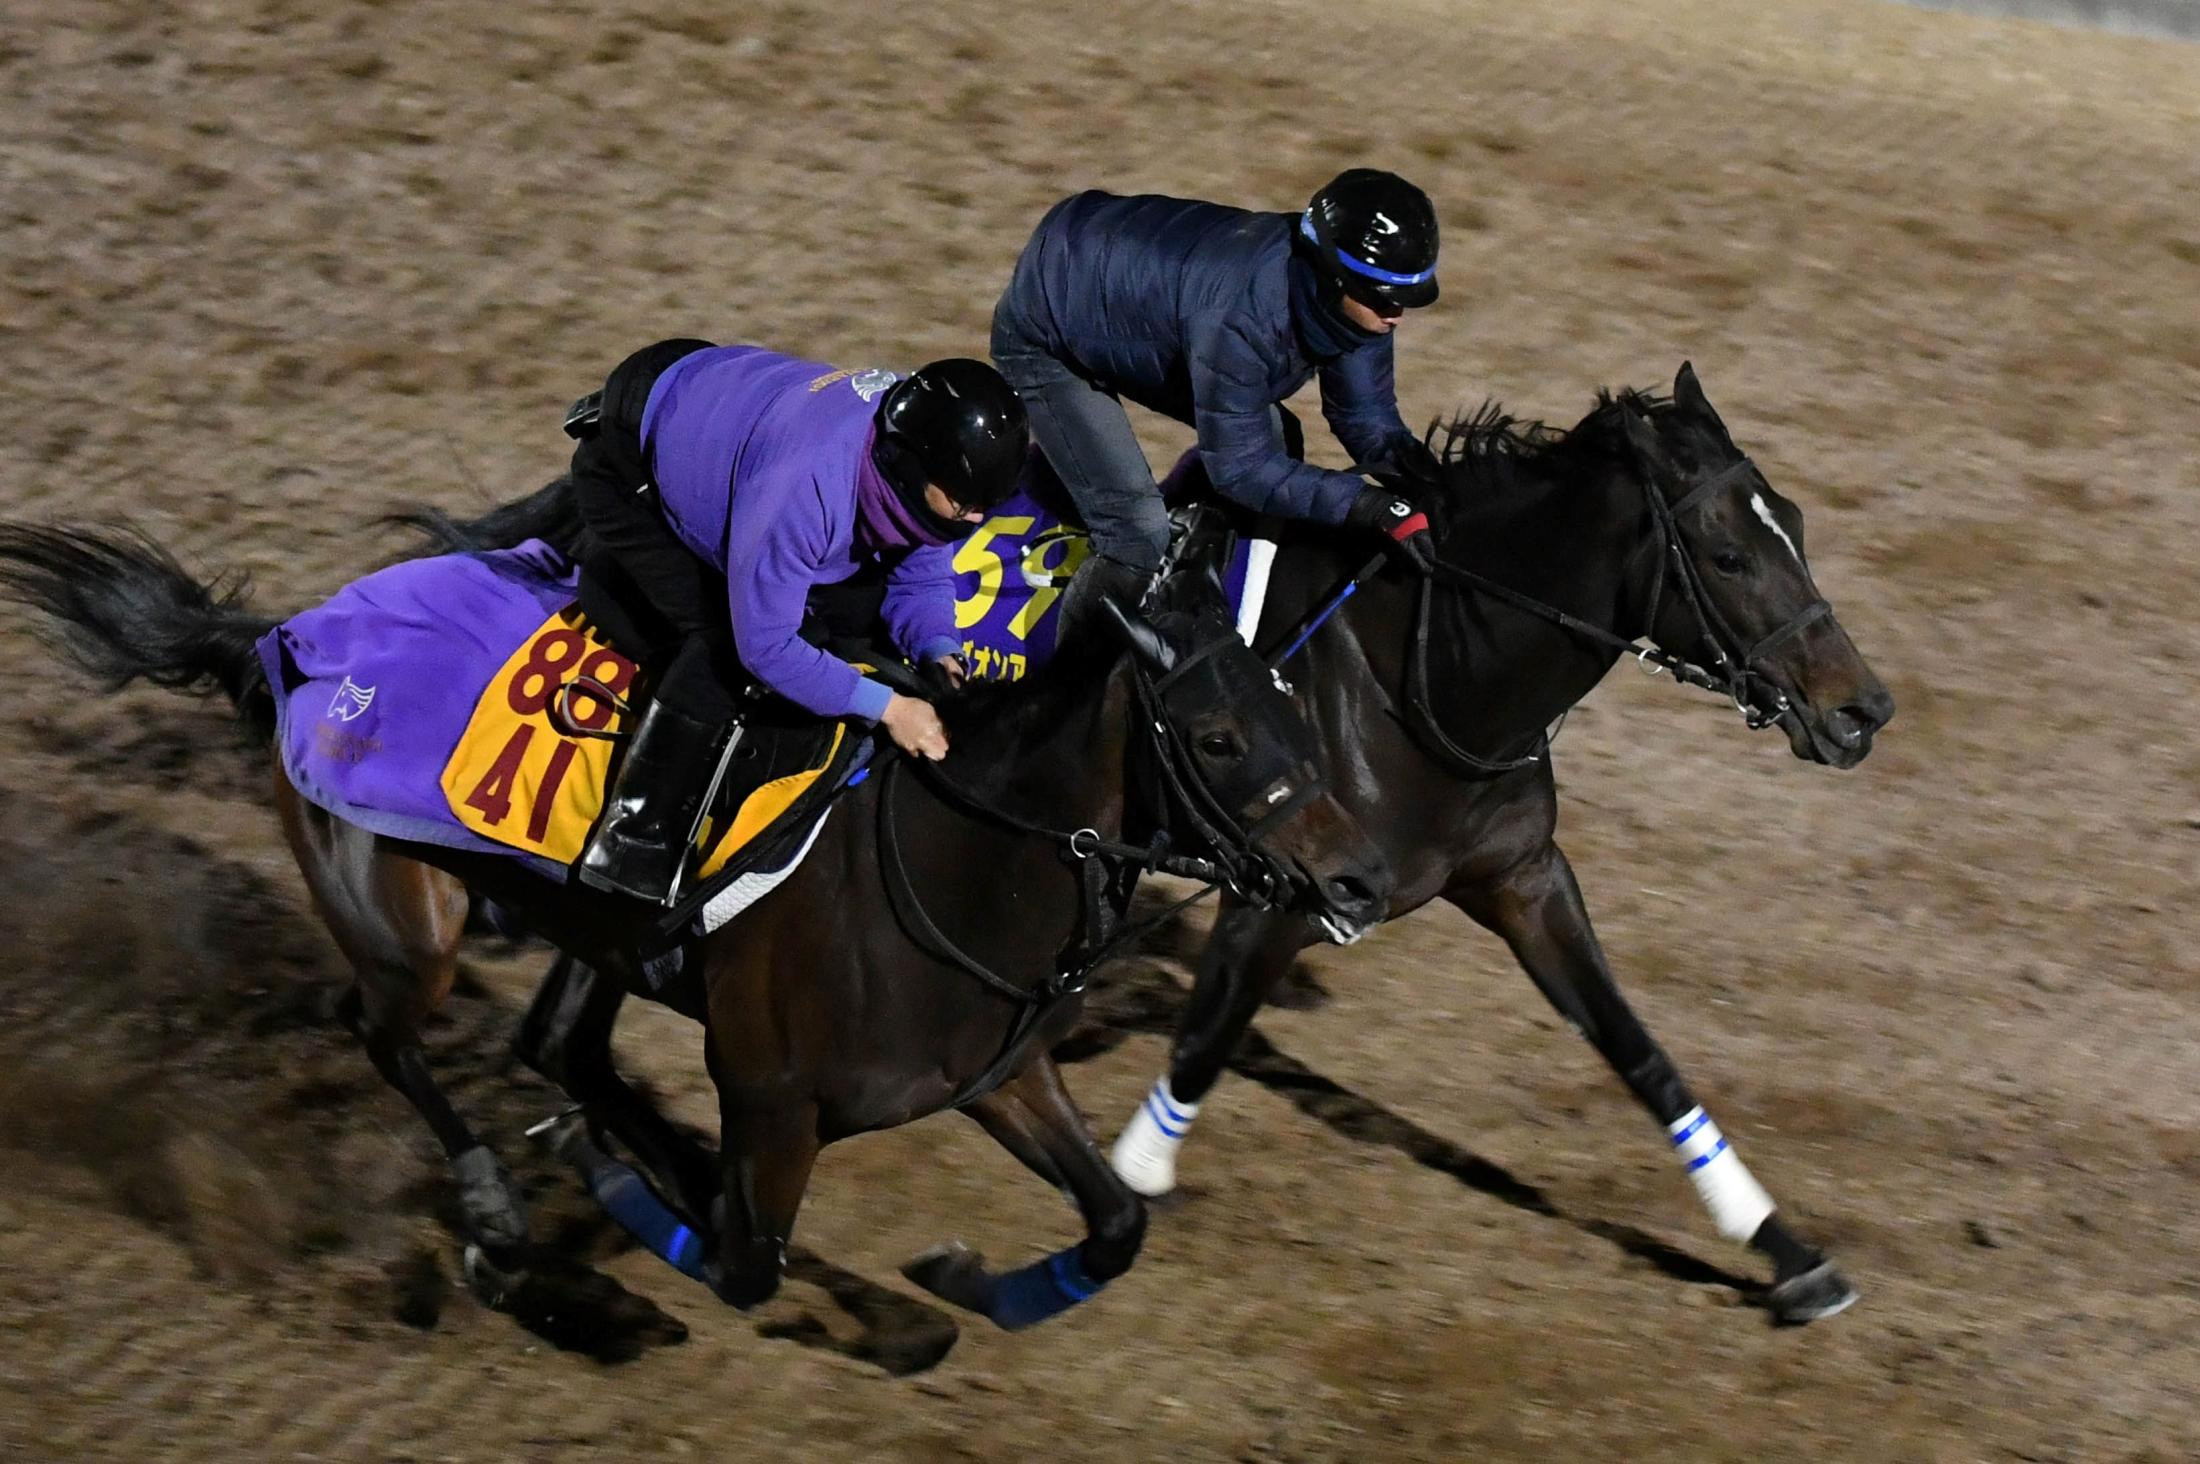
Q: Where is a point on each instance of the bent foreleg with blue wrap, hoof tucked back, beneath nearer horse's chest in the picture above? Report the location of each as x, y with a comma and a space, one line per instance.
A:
1035, 1119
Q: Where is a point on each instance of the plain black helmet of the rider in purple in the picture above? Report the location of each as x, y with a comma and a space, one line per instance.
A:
960, 426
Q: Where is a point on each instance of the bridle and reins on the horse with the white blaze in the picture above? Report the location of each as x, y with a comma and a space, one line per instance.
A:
1735, 670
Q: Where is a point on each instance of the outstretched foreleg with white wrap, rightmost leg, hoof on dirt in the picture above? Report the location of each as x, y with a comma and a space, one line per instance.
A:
1537, 908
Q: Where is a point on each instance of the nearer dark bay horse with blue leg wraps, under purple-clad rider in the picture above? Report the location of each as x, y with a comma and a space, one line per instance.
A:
929, 952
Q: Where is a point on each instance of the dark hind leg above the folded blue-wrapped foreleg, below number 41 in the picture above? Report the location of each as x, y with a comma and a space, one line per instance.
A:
566, 1038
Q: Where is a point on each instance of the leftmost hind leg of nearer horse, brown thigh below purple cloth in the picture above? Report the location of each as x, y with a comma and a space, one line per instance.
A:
399, 924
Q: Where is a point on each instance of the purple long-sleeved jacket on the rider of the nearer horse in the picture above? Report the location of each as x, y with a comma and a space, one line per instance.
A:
764, 470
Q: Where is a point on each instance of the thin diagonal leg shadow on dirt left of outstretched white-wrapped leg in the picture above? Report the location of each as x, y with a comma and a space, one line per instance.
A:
1143, 1001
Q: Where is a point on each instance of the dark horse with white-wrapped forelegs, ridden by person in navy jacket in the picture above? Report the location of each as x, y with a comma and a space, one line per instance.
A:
1644, 521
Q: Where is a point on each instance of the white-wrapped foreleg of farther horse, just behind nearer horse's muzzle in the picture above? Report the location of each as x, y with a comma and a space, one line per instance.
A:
1246, 957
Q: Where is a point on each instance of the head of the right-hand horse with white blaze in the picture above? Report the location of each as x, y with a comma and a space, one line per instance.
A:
1737, 591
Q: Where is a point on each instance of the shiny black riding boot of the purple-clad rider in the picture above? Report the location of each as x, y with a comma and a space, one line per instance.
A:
650, 816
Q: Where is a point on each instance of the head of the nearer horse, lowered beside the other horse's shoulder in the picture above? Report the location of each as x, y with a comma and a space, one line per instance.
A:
1240, 761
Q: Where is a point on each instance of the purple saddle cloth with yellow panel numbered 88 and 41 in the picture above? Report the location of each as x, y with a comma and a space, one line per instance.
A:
439, 701
